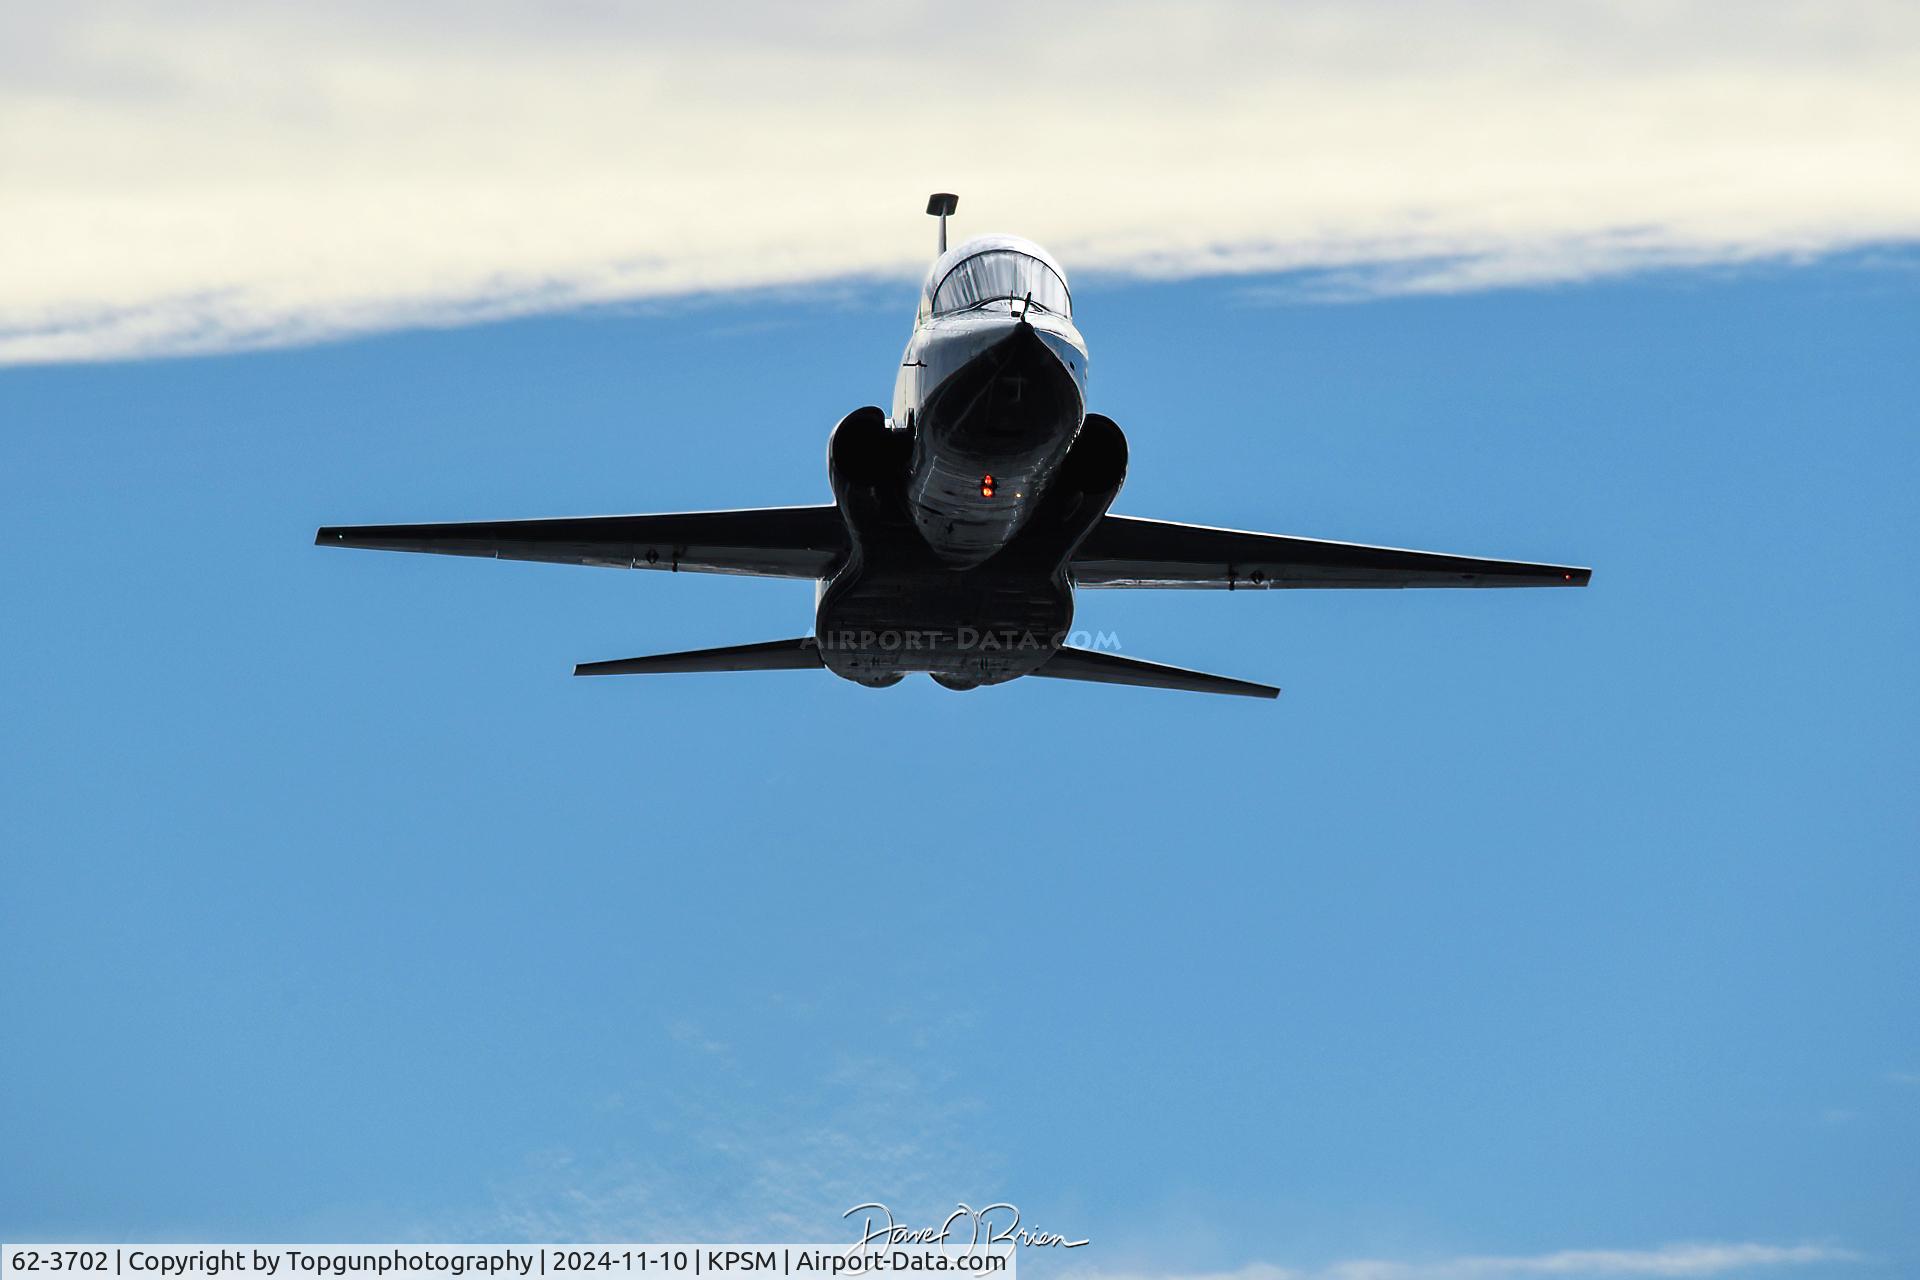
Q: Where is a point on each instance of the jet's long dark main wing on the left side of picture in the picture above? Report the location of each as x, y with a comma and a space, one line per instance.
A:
769, 542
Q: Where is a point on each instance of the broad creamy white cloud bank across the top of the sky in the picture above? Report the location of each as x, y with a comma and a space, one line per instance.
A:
210, 174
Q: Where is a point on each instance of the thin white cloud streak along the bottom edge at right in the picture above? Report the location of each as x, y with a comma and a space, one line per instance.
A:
1673, 1260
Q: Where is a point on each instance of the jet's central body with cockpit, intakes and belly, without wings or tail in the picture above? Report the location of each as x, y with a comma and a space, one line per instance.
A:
965, 506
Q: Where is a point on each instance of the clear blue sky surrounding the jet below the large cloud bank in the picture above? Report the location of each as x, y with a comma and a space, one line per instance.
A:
1522, 924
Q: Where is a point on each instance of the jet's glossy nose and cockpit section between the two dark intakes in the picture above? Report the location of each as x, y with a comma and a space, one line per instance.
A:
992, 410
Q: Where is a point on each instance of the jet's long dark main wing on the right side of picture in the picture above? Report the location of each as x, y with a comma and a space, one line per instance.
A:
1128, 552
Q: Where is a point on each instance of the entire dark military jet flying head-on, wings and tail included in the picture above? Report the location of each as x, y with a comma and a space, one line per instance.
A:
965, 521
